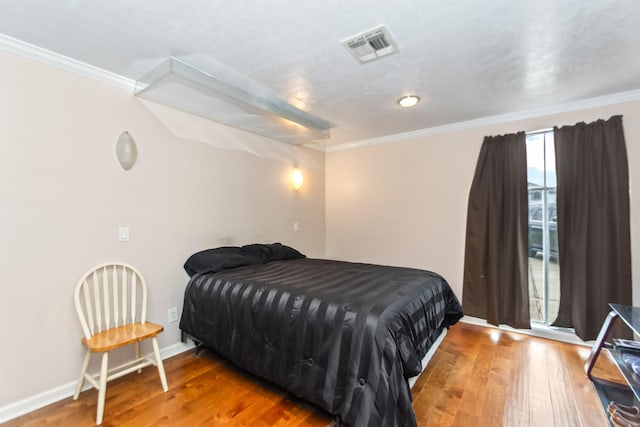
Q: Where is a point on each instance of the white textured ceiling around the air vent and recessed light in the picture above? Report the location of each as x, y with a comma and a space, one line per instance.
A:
466, 60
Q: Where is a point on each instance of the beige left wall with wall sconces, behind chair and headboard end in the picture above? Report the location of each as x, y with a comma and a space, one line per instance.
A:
63, 196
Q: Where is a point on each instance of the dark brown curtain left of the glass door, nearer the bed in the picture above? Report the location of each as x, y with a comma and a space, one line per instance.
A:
495, 284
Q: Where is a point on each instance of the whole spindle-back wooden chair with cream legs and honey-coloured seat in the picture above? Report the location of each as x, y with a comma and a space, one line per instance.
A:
111, 301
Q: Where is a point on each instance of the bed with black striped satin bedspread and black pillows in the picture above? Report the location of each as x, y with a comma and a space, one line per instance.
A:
344, 336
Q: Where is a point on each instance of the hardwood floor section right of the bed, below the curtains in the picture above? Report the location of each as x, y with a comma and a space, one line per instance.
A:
487, 377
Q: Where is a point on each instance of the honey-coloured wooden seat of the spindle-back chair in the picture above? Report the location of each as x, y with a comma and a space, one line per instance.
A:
121, 336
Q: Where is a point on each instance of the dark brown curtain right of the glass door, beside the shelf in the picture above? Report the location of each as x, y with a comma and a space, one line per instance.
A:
593, 223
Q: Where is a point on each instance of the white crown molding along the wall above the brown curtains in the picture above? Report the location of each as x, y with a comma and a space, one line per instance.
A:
584, 104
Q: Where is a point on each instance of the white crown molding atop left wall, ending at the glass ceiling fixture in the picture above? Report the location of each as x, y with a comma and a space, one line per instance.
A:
54, 59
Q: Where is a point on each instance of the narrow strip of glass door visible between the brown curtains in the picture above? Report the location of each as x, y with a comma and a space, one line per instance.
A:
544, 273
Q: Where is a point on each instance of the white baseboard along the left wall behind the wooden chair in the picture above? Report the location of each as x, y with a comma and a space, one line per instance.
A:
47, 397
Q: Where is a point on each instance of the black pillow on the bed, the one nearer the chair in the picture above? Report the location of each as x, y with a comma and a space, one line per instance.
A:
212, 260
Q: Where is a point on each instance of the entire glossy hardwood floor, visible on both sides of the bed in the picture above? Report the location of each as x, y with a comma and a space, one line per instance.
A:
478, 377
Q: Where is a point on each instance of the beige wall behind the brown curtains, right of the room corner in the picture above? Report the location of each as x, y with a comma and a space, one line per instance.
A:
406, 203
